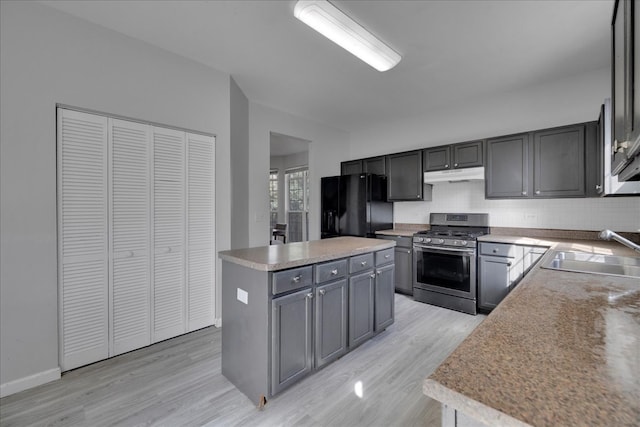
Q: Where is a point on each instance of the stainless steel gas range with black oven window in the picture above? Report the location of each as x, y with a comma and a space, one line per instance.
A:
444, 260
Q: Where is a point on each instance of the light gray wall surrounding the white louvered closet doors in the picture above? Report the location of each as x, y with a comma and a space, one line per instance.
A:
48, 57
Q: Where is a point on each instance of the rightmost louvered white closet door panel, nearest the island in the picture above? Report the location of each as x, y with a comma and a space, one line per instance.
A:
200, 231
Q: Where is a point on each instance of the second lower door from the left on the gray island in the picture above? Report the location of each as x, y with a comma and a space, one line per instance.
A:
331, 322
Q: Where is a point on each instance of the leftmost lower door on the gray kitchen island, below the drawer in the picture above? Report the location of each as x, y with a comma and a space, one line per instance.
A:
292, 356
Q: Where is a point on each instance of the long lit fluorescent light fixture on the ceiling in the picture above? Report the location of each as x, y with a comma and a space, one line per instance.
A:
332, 23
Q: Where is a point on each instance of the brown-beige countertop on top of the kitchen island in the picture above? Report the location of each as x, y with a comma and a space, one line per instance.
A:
280, 257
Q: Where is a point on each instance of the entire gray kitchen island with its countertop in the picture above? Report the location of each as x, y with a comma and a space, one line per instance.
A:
288, 310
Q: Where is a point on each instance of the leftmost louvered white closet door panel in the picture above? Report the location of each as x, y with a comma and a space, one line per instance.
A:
82, 238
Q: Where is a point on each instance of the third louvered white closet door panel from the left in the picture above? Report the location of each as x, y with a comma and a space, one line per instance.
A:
168, 233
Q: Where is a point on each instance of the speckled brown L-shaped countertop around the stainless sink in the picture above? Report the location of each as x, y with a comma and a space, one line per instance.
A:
562, 348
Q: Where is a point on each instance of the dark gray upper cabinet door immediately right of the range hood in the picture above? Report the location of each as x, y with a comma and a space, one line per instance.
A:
507, 169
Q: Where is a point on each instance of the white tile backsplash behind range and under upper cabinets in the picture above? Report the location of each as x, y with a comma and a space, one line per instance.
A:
615, 213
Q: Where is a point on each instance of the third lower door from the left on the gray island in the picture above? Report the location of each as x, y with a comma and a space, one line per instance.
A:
361, 294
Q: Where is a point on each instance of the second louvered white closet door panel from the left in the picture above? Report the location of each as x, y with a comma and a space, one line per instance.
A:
130, 278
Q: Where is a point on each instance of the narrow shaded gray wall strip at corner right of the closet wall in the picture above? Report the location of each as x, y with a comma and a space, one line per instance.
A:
240, 170
